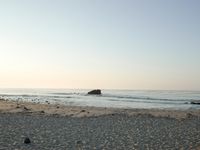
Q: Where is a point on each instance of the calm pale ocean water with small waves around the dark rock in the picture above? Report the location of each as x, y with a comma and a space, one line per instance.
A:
143, 99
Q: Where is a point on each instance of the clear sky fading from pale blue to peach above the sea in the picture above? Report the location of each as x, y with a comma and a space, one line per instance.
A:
108, 44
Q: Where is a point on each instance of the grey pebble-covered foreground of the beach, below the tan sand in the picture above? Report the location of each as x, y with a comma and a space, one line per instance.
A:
114, 131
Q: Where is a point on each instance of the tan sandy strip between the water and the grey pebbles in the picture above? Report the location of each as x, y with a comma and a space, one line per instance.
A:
7, 106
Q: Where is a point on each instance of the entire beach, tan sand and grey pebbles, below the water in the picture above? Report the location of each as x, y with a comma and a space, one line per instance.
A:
72, 127
